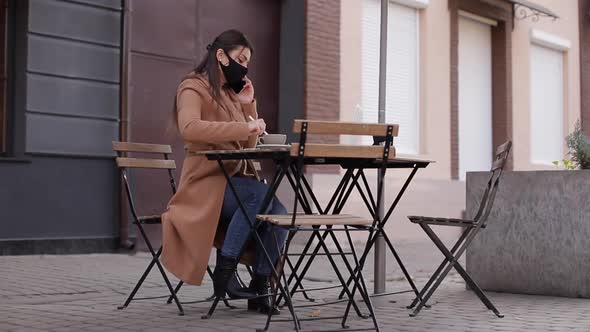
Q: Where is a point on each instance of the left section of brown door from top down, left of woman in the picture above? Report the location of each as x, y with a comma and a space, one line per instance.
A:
162, 42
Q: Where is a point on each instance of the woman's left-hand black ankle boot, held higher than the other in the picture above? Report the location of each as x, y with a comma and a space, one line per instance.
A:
225, 280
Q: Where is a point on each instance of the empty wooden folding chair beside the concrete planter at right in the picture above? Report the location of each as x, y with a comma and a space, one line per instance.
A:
471, 229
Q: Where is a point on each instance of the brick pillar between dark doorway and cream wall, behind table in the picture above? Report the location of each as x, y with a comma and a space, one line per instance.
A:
322, 67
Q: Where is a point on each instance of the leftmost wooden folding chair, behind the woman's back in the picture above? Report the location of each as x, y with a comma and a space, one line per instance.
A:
161, 162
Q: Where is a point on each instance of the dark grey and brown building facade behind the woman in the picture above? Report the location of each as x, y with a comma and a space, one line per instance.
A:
79, 74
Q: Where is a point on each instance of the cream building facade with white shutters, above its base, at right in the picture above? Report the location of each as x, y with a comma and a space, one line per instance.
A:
464, 76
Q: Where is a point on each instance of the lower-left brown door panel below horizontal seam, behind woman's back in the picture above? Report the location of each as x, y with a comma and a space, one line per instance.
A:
153, 86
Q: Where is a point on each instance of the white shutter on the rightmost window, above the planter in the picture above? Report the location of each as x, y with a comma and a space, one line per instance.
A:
546, 105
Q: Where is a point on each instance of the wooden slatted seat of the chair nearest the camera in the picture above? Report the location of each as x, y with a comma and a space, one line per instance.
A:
316, 220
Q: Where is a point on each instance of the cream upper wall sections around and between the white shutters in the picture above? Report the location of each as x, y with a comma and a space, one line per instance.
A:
435, 87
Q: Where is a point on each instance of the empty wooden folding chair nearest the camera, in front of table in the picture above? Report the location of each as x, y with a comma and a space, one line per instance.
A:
324, 225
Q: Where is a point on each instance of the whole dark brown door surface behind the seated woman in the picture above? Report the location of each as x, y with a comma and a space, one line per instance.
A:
167, 39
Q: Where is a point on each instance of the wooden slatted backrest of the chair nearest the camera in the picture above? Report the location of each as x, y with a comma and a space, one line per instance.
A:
383, 132
